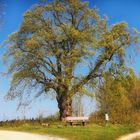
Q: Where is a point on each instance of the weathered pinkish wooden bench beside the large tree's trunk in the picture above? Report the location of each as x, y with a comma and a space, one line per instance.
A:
74, 120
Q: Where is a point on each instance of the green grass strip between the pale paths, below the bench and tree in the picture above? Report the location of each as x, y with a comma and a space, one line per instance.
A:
89, 132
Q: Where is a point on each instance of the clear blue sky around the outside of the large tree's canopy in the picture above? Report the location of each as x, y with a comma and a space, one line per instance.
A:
116, 10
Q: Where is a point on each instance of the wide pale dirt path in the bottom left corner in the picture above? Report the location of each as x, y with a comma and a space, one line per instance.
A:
11, 135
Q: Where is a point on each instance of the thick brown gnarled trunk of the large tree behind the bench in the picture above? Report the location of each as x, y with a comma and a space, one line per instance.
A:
65, 106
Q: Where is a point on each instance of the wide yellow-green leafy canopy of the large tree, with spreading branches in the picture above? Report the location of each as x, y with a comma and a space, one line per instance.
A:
54, 39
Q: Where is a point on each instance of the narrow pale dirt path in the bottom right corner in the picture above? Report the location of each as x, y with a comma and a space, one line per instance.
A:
132, 136
